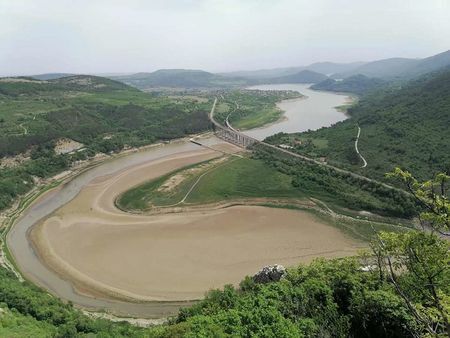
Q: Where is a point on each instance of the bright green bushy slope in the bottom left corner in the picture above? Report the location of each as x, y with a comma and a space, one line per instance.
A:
32, 312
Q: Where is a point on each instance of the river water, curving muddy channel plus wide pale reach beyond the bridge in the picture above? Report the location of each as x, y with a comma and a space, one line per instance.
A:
315, 111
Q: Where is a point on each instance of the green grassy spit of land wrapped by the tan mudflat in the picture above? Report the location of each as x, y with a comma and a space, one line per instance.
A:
221, 181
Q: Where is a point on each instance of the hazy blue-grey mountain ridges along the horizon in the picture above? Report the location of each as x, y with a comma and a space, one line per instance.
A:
391, 69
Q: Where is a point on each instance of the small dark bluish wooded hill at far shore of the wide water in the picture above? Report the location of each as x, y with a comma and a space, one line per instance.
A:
357, 84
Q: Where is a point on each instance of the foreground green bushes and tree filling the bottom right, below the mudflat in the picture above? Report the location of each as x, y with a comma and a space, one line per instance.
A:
399, 289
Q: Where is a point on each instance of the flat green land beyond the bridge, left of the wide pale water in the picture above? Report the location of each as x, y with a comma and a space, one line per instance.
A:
248, 109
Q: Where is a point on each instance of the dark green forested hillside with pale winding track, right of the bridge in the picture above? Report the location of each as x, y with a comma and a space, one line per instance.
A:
405, 127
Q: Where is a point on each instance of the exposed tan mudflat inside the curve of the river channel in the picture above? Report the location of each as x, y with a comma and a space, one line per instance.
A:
179, 256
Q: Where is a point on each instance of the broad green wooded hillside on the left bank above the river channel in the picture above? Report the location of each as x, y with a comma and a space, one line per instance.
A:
102, 114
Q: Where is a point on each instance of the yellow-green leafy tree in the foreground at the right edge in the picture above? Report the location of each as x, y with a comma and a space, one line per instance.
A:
417, 262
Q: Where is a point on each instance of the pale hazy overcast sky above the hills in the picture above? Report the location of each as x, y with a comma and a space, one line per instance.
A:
112, 36
